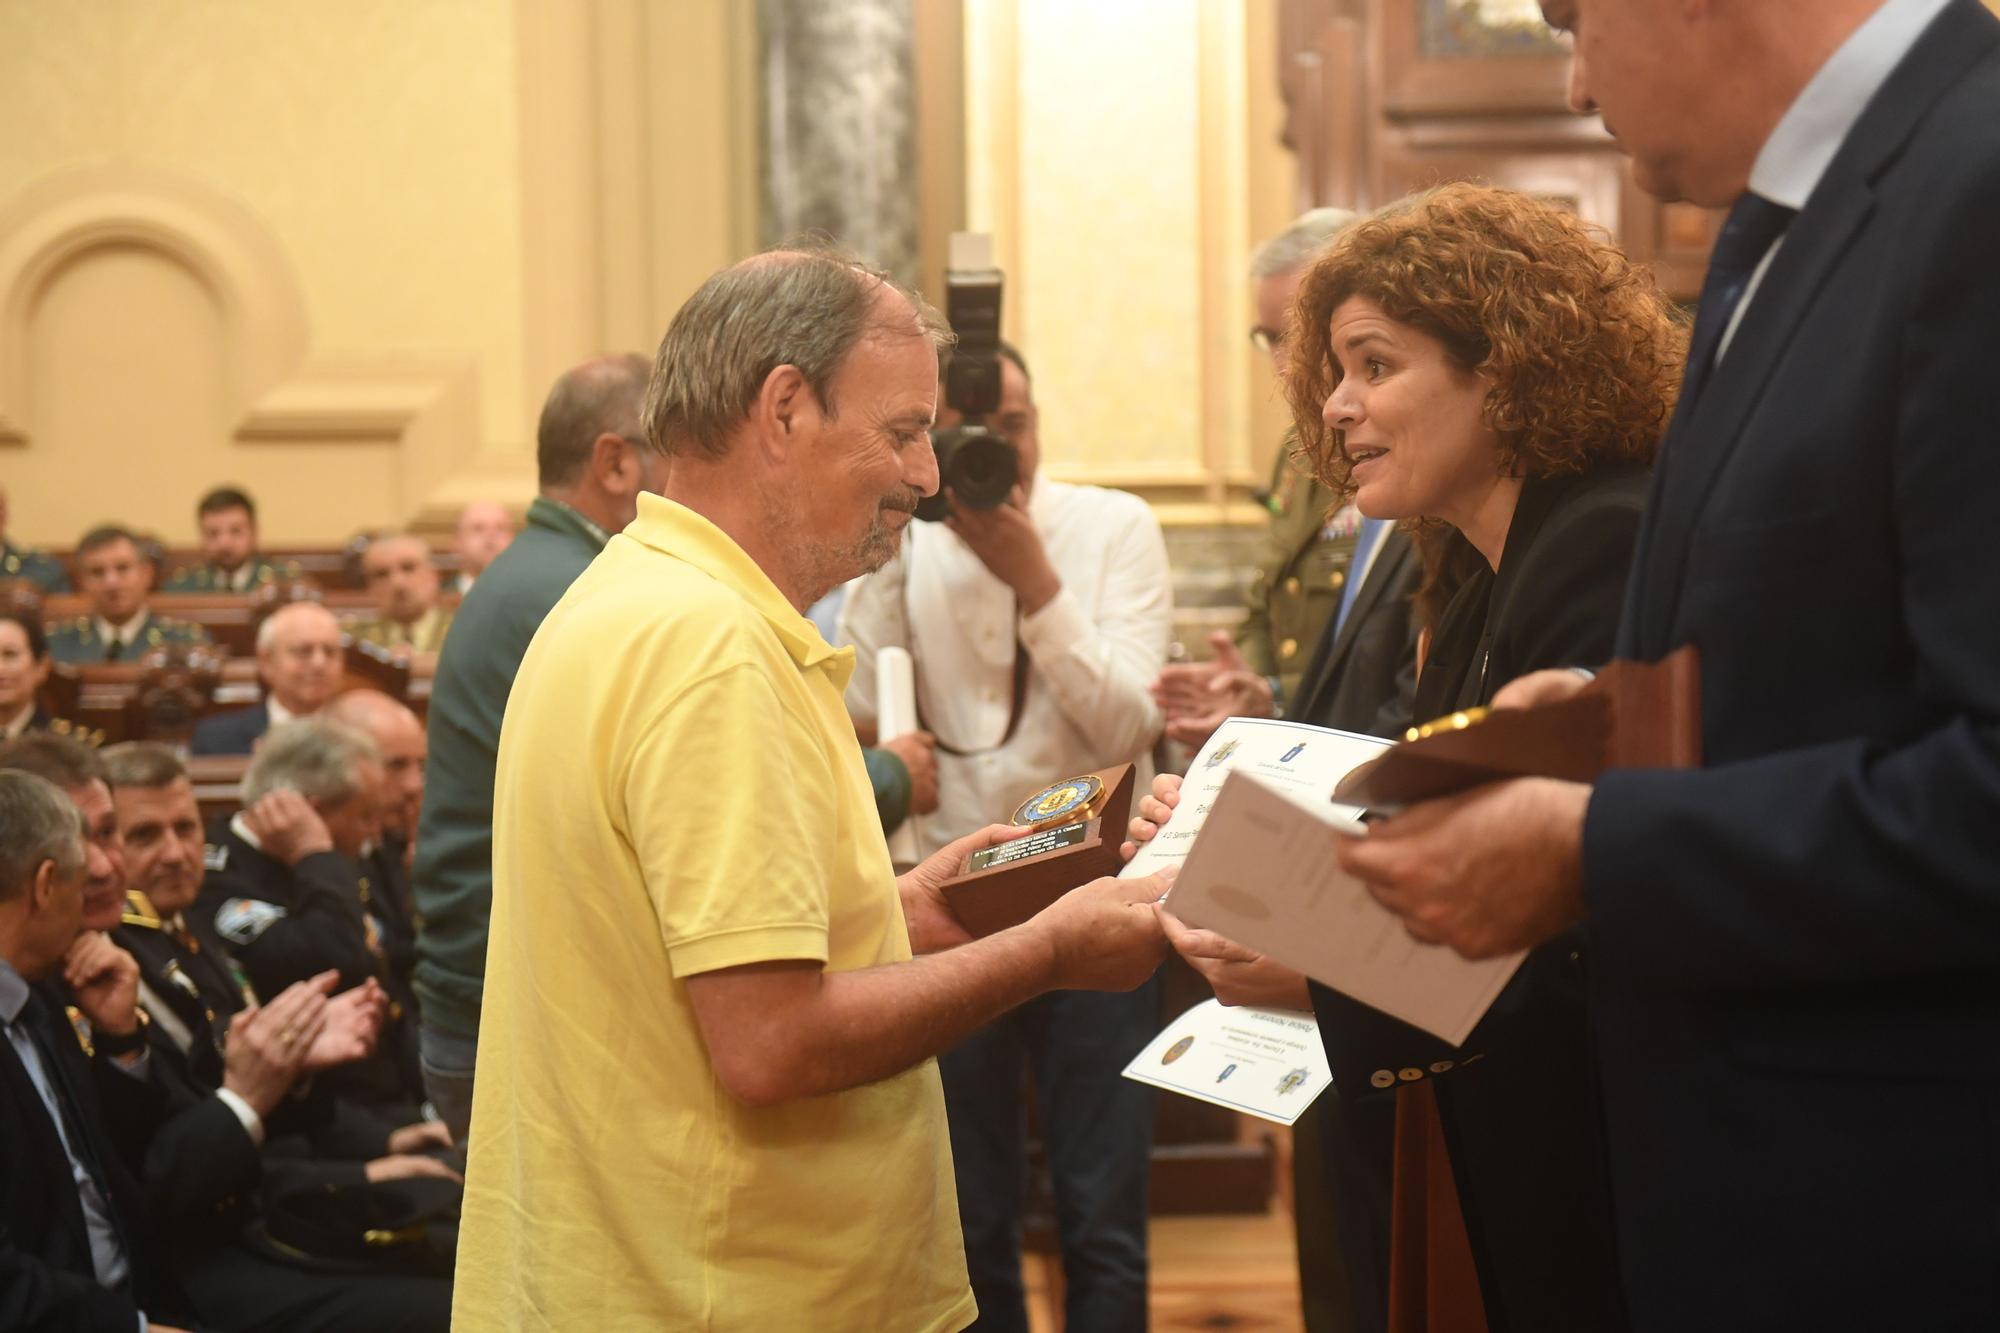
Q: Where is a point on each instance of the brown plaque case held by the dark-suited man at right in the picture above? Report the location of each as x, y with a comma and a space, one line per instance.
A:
1635, 716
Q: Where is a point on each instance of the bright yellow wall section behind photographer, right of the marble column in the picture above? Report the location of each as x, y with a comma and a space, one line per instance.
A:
1123, 155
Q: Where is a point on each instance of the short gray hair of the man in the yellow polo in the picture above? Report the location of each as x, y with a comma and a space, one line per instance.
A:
801, 307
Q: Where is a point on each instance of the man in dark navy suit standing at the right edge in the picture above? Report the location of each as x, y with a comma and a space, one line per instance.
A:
1793, 946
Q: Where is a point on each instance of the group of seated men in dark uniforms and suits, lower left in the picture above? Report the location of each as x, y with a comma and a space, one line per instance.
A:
213, 1100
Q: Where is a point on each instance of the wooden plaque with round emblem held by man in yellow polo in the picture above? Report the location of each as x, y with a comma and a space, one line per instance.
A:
1009, 884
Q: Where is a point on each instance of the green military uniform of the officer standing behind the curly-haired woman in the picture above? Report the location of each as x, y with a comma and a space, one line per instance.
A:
1299, 583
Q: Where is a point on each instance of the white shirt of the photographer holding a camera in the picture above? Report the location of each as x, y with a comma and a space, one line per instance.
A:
1093, 653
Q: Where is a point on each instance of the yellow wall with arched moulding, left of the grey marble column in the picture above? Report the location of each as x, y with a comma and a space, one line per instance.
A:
337, 251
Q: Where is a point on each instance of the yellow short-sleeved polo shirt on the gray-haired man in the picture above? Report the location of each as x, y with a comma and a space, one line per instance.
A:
681, 792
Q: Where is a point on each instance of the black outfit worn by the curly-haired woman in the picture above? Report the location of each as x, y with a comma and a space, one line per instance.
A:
1517, 1102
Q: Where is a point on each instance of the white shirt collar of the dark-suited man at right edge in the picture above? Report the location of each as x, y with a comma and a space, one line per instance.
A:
1797, 155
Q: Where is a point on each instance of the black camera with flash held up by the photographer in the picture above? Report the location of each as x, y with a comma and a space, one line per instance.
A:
975, 461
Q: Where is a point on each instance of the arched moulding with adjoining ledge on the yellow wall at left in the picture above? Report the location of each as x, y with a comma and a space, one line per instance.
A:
369, 435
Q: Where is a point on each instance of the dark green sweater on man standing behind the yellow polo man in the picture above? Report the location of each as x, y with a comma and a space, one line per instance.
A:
455, 840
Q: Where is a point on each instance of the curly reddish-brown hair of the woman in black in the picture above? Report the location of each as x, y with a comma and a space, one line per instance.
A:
1581, 349
